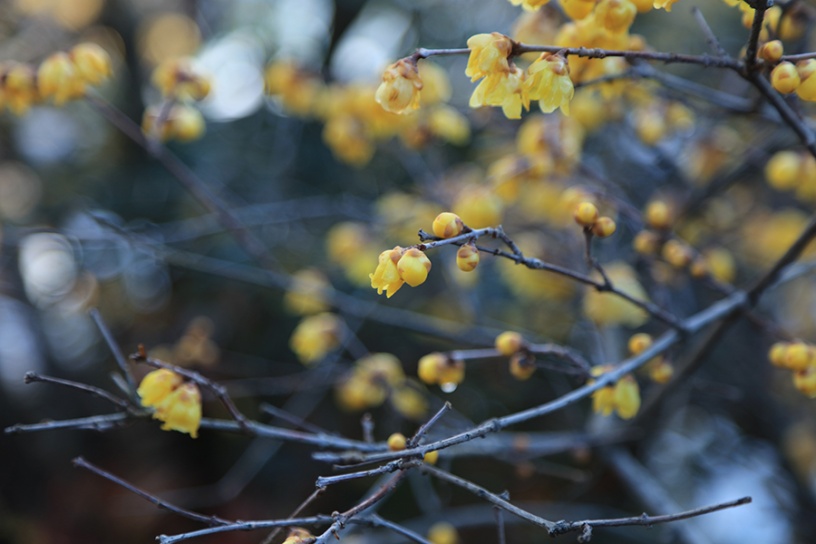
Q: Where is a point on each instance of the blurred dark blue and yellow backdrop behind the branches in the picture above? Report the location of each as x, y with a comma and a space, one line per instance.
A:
90, 219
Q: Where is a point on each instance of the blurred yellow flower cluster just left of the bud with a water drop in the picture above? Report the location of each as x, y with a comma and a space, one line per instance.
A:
376, 378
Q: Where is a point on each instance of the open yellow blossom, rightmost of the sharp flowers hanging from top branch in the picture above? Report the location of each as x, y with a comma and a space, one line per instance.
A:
548, 81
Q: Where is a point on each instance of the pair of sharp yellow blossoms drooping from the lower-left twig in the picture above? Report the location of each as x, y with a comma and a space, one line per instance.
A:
175, 402
